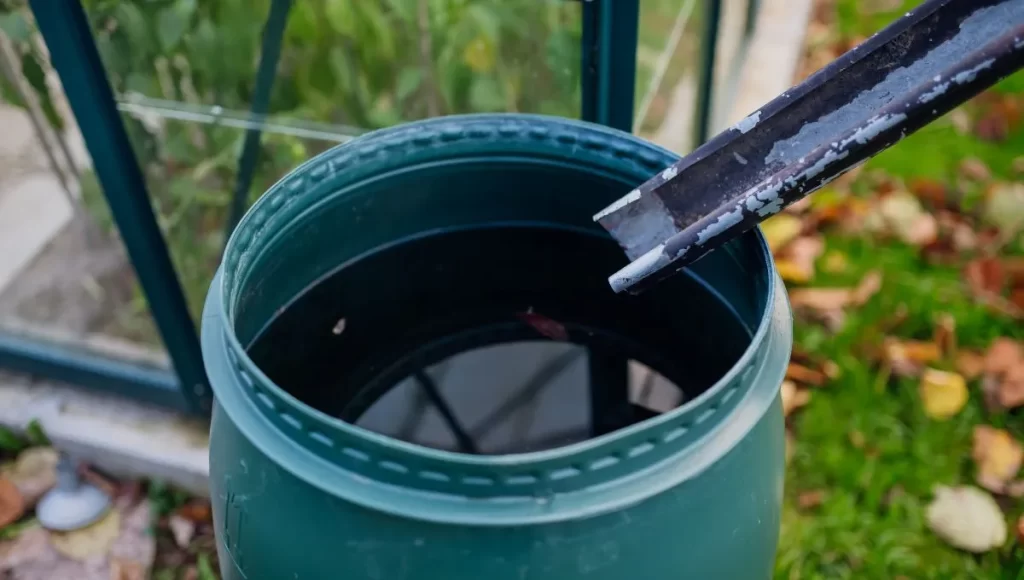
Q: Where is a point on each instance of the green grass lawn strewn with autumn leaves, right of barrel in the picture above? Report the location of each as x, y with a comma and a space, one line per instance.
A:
867, 457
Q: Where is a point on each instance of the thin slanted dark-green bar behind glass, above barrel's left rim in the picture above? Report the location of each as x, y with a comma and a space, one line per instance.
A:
274, 33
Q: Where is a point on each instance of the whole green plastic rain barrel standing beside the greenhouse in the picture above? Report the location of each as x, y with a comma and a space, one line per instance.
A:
408, 245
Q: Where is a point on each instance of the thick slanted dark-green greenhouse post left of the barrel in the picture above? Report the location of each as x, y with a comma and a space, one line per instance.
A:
74, 56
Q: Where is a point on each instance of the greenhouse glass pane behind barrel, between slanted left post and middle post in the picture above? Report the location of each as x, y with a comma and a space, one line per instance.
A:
185, 74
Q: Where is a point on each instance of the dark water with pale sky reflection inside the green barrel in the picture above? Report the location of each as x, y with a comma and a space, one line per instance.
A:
497, 341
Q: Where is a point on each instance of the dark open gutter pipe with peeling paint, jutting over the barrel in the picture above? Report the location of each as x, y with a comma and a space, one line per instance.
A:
905, 77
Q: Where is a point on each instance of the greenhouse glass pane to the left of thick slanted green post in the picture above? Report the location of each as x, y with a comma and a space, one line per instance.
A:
65, 277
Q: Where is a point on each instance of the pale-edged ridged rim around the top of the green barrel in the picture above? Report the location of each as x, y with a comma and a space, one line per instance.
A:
518, 480
